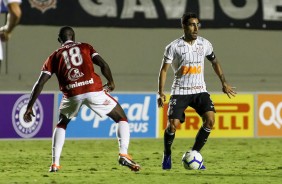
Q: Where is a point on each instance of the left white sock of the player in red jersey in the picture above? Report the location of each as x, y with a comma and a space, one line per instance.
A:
58, 140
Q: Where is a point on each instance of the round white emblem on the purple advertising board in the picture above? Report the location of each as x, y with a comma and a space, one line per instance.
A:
30, 129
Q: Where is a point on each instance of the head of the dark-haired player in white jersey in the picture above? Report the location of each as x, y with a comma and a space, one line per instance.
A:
190, 24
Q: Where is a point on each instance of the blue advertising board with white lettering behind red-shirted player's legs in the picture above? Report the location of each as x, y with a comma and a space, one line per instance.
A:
139, 108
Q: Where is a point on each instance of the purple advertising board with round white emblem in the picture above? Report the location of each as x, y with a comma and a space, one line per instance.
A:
12, 109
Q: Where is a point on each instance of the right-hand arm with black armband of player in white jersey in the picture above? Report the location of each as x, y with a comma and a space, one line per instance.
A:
226, 88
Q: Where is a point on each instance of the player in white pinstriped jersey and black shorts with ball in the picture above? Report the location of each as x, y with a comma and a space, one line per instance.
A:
186, 56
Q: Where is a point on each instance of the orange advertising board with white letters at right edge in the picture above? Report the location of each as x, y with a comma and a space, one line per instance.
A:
269, 115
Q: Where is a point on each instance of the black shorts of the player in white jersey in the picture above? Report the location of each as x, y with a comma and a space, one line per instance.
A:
201, 102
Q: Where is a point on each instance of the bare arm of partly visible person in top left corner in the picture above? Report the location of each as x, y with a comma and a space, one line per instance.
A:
13, 18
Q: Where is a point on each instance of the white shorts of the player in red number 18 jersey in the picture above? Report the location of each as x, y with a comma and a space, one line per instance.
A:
100, 102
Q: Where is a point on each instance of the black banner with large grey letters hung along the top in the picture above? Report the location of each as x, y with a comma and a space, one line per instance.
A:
250, 14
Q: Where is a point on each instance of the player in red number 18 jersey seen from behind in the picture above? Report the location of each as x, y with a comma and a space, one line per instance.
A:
73, 65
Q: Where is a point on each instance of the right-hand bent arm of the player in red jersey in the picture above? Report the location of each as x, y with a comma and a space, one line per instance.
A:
105, 70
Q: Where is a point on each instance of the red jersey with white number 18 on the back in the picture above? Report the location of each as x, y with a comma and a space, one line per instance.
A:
73, 66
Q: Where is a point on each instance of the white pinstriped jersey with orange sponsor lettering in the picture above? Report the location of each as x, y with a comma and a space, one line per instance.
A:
187, 62
